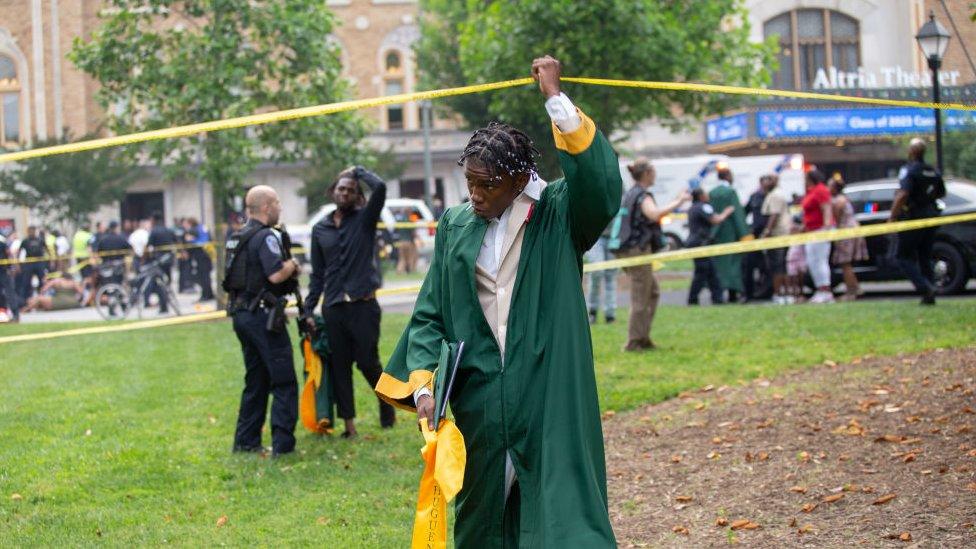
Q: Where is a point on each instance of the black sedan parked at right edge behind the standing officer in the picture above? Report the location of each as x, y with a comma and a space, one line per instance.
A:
954, 252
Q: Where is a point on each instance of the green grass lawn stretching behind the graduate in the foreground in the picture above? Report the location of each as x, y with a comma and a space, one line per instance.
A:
124, 438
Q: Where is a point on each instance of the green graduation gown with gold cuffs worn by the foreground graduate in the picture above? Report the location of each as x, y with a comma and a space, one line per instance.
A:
539, 404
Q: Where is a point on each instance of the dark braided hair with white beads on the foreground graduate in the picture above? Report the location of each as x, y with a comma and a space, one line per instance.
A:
502, 149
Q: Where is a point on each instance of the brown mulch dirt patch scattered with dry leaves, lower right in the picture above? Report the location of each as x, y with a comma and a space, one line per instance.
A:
877, 452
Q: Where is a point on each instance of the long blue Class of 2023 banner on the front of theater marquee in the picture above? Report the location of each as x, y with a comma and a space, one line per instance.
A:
853, 122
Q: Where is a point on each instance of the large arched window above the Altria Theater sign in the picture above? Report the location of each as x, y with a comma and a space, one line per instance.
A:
813, 39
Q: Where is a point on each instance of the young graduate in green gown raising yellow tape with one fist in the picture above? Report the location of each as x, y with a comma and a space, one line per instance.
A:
506, 280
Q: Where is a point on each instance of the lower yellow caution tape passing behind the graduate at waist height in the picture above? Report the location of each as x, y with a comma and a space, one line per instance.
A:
650, 259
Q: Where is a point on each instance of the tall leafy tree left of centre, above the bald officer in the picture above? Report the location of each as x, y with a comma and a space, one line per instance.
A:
163, 63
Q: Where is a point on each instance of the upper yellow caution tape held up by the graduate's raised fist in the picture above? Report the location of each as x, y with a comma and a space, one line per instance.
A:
343, 106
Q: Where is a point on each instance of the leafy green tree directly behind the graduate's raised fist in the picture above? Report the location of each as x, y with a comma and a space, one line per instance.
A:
679, 40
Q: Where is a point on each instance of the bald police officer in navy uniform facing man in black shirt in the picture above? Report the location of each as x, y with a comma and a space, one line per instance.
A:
260, 274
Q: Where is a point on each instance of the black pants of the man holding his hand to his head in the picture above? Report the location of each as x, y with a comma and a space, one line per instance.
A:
354, 335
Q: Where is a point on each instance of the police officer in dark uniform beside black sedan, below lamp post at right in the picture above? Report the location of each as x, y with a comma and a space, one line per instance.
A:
921, 186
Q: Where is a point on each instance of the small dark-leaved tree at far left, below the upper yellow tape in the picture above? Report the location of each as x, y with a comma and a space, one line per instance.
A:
68, 188
